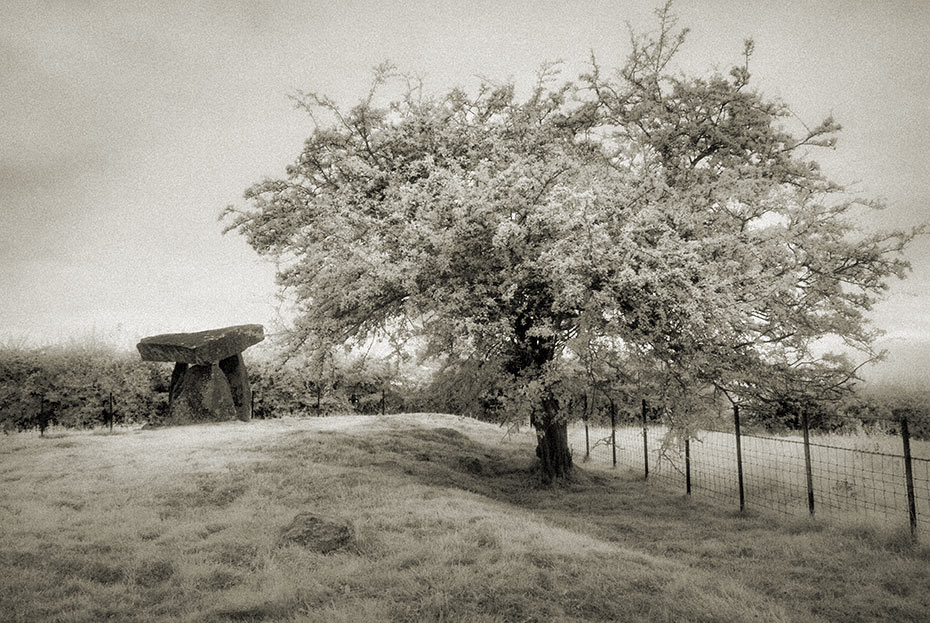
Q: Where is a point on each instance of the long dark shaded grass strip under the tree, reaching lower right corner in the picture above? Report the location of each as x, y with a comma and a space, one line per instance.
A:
773, 555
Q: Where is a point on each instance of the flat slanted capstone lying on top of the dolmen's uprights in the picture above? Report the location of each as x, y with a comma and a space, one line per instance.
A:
201, 347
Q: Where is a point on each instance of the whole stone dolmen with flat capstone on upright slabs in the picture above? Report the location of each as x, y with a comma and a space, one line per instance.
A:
209, 382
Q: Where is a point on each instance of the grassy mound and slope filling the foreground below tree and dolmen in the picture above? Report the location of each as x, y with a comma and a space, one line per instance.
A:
184, 524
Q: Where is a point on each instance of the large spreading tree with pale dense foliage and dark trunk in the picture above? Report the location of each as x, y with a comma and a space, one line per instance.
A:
625, 219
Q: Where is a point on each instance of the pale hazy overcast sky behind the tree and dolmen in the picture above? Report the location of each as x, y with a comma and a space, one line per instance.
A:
127, 127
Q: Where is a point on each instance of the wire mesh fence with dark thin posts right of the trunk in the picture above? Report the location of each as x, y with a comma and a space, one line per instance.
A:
880, 477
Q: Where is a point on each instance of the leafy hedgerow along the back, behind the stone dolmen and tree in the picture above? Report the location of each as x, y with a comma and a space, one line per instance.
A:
75, 386
